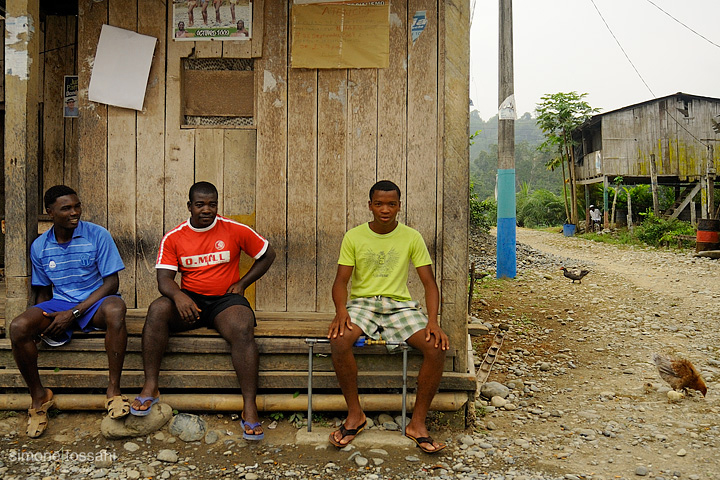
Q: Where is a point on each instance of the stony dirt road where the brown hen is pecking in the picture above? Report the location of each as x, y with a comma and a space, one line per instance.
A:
591, 402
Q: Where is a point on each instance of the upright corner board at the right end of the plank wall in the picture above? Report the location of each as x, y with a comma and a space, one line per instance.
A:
455, 75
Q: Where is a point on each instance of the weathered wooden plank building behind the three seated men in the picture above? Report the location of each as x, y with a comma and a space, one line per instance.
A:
295, 160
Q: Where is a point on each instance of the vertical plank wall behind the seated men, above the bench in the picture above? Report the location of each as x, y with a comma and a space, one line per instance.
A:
300, 173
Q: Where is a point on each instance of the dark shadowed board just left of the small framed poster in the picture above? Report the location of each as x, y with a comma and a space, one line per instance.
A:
53, 125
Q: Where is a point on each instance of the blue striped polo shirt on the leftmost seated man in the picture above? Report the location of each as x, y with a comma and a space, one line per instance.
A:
74, 269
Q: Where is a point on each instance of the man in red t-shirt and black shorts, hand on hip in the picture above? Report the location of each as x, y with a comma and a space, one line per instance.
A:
206, 251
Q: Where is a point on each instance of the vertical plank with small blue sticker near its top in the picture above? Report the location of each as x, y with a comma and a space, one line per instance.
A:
421, 195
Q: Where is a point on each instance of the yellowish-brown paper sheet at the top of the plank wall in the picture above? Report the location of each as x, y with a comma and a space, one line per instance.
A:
341, 35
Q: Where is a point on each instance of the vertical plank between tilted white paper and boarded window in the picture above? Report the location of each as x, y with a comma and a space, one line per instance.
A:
179, 143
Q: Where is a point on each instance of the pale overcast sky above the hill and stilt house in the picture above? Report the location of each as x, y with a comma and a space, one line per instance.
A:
563, 46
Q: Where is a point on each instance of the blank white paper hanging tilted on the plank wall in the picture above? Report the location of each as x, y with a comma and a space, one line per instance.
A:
121, 68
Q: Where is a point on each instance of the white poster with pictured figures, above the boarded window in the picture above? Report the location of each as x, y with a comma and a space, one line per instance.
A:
198, 20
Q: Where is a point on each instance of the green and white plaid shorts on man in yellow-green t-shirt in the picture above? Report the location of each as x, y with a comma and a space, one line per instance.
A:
387, 319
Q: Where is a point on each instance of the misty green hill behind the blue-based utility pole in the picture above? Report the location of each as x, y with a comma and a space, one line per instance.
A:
529, 162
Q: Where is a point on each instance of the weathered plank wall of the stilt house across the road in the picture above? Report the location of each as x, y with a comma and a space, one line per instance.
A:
672, 128
